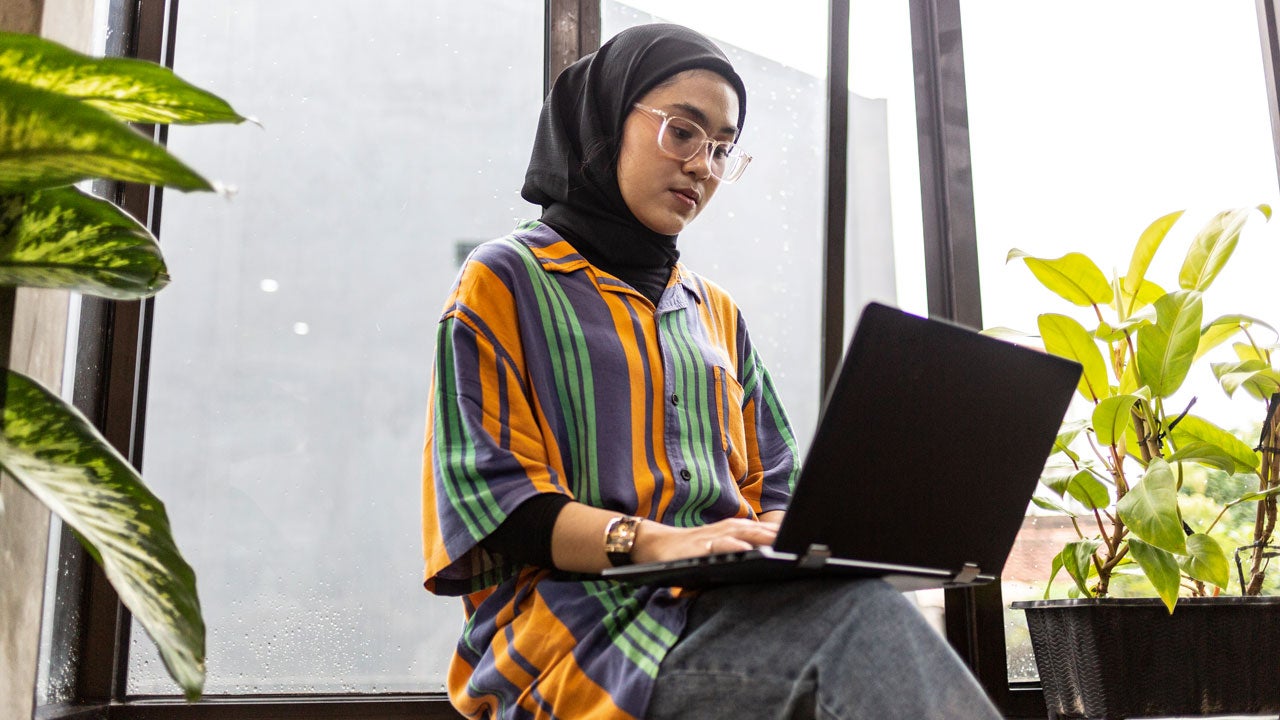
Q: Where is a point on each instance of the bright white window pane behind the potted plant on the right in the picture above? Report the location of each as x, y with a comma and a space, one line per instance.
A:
1080, 152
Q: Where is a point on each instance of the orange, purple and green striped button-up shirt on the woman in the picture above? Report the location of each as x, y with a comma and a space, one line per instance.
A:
552, 376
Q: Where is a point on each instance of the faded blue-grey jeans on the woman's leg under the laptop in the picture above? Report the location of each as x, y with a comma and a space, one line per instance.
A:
830, 650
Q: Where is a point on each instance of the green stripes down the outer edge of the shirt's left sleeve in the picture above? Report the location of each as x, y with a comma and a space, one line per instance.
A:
467, 490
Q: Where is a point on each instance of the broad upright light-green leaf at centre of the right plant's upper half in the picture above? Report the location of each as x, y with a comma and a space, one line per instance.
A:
1167, 350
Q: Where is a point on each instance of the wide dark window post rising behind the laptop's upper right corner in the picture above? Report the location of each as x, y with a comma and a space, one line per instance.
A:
947, 180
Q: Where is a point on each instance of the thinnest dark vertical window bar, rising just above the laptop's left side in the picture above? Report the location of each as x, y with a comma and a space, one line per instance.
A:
838, 194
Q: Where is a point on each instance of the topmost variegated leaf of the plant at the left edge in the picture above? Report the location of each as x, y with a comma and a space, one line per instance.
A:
131, 90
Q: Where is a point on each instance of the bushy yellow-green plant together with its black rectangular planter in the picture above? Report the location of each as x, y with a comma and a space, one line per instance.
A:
1126, 475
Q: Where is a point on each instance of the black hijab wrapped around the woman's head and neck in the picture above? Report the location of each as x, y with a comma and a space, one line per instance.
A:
573, 172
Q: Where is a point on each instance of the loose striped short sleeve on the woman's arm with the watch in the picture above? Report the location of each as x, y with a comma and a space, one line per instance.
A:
484, 453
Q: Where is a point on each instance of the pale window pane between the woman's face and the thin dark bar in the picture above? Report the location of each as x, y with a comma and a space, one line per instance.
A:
762, 236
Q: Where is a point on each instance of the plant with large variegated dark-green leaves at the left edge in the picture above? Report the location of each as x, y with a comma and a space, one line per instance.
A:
63, 120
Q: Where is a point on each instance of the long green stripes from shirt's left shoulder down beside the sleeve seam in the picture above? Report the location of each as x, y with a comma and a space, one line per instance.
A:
575, 385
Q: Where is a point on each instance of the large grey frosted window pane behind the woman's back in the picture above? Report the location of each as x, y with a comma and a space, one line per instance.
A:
292, 354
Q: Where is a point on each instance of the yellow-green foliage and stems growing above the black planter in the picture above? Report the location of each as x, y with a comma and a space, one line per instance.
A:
1121, 473
